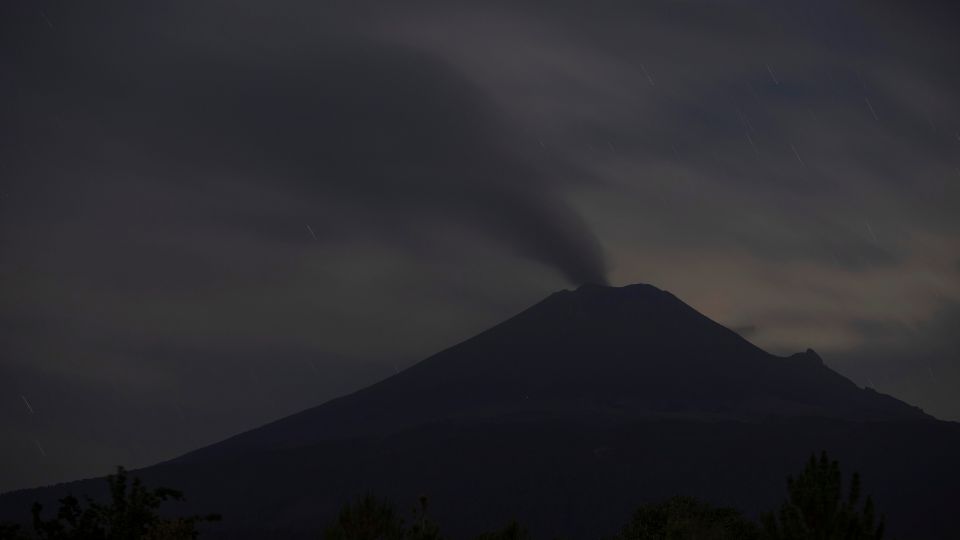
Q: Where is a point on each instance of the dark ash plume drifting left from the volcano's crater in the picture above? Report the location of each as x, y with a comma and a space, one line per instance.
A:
330, 115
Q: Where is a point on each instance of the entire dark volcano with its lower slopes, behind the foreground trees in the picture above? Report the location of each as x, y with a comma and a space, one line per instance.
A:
566, 416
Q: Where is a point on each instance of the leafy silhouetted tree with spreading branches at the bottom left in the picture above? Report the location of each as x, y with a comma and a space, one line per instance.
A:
131, 515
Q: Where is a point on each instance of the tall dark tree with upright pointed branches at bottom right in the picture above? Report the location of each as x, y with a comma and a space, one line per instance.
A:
816, 508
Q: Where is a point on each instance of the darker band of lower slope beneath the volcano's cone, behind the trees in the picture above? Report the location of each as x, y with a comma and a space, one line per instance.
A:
560, 479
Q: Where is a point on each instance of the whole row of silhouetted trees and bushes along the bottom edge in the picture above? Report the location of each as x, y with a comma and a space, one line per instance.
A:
817, 507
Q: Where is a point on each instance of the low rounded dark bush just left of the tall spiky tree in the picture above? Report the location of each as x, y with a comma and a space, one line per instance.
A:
686, 518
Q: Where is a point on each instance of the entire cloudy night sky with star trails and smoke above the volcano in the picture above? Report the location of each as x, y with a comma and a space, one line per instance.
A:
214, 214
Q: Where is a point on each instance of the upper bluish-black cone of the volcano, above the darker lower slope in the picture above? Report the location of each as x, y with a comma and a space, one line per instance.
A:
605, 353
